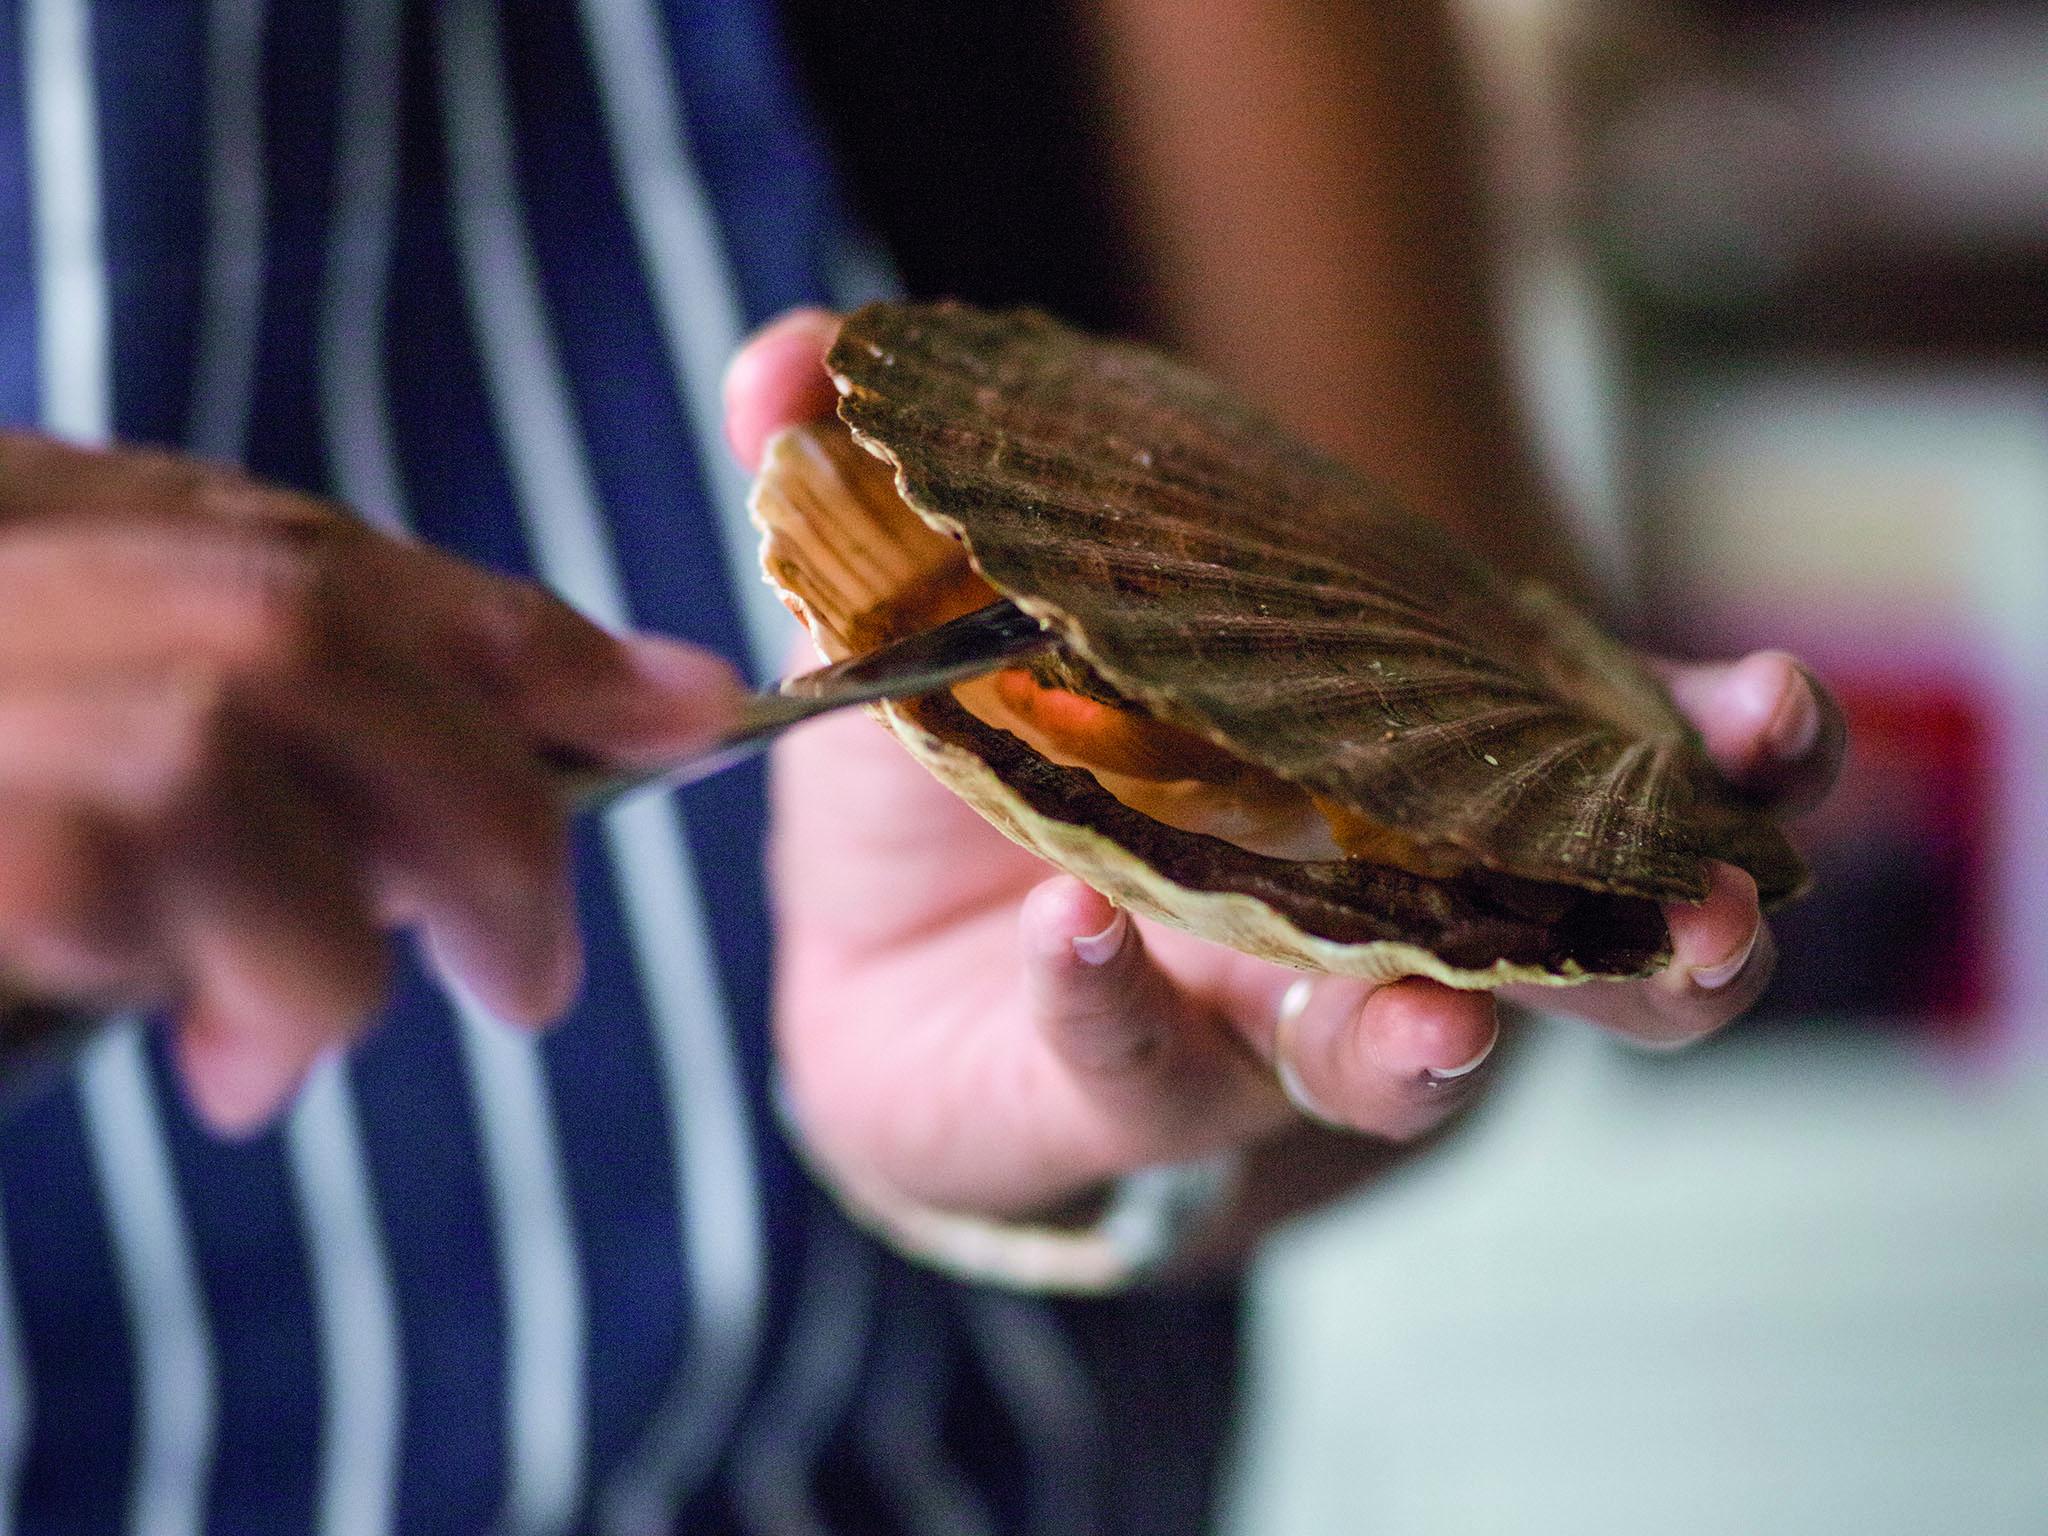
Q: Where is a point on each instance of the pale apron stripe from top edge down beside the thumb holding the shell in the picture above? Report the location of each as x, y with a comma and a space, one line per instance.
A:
689, 282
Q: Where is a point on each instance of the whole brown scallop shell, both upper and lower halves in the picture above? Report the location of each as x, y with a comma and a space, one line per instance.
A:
1230, 581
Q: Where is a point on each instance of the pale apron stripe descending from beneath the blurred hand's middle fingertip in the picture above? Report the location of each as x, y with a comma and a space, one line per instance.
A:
546, 1379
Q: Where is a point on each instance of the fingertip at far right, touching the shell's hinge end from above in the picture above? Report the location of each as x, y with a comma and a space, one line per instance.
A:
1768, 724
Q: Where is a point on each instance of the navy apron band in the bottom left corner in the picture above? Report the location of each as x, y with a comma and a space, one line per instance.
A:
73, 1324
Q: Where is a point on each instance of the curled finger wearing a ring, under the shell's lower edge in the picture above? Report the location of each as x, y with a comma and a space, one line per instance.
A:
1392, 1062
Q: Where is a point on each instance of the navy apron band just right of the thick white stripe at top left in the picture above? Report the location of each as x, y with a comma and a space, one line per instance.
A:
151, 69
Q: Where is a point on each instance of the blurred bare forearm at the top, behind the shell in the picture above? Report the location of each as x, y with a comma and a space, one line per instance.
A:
1304, 181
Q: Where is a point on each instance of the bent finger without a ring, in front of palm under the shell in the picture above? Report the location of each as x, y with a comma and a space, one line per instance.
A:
1164, 1076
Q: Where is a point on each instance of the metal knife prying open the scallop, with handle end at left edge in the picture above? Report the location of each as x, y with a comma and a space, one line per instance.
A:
38, 1039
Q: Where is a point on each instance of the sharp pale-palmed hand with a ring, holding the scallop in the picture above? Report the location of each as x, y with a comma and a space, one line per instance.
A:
972, 1035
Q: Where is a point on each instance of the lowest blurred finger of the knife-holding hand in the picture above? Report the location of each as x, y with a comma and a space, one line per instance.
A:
278, 945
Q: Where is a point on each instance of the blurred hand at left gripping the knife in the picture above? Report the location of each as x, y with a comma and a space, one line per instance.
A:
243, 736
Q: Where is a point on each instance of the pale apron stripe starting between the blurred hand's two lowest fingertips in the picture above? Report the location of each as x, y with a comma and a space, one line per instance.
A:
357, 1318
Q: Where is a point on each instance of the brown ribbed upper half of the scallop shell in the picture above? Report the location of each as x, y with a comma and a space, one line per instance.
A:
1246, 587
